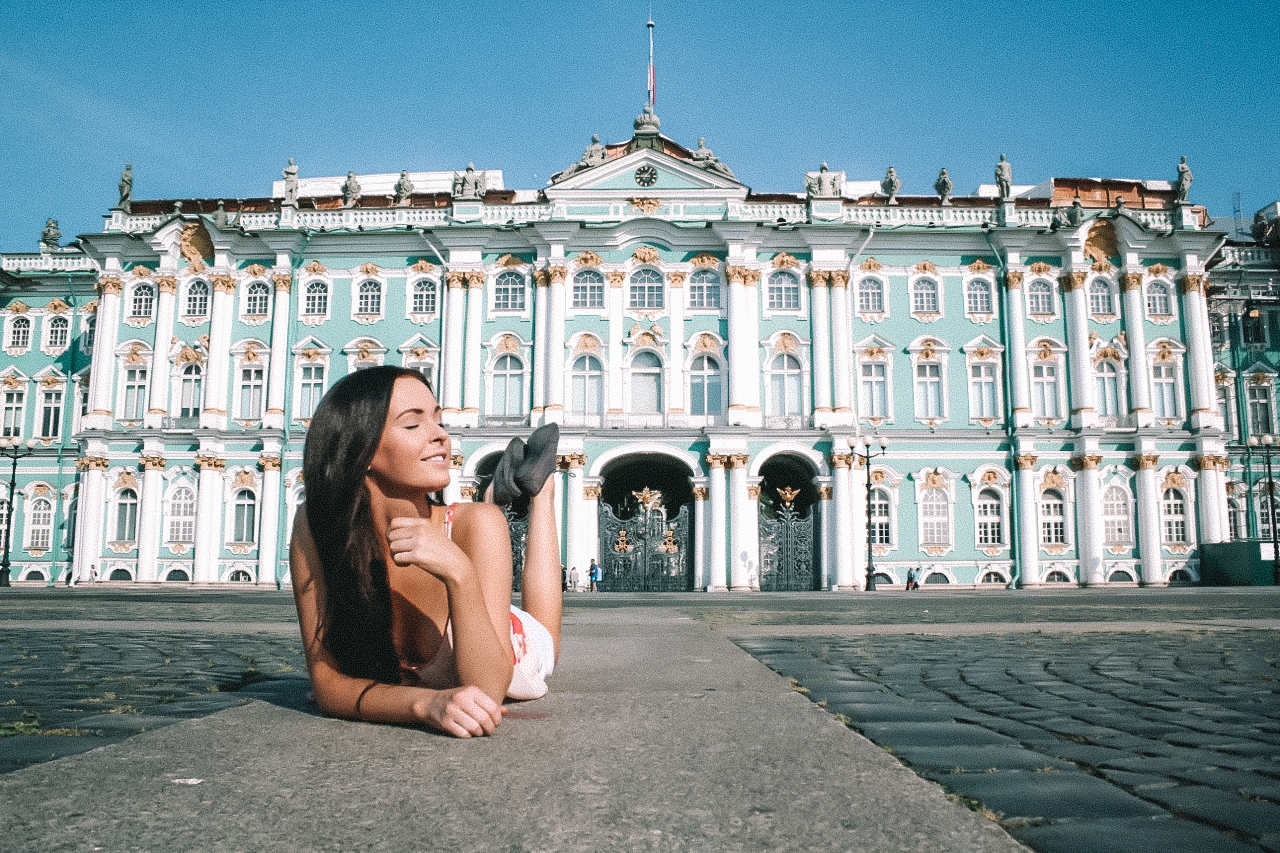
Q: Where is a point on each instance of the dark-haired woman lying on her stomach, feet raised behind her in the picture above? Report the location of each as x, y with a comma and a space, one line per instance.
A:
405, 604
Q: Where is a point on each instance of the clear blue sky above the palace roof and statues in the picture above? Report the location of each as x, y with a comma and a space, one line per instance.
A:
211, 99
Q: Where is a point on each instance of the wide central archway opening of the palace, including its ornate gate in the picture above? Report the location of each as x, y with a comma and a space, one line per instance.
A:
646, 526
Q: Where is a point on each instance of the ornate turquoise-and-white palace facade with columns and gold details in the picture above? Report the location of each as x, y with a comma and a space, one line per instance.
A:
1030, 366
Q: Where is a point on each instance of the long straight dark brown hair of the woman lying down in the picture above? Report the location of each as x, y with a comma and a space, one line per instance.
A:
344, 436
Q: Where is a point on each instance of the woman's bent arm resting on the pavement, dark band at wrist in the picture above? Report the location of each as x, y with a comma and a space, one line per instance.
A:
463, 711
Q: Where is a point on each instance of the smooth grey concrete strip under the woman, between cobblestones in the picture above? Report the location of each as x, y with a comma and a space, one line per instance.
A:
659, 736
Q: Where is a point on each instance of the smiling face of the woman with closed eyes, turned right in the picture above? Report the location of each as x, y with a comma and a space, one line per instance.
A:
413, 457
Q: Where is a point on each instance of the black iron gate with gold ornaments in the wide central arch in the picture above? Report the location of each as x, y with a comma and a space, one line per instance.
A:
646, 553
